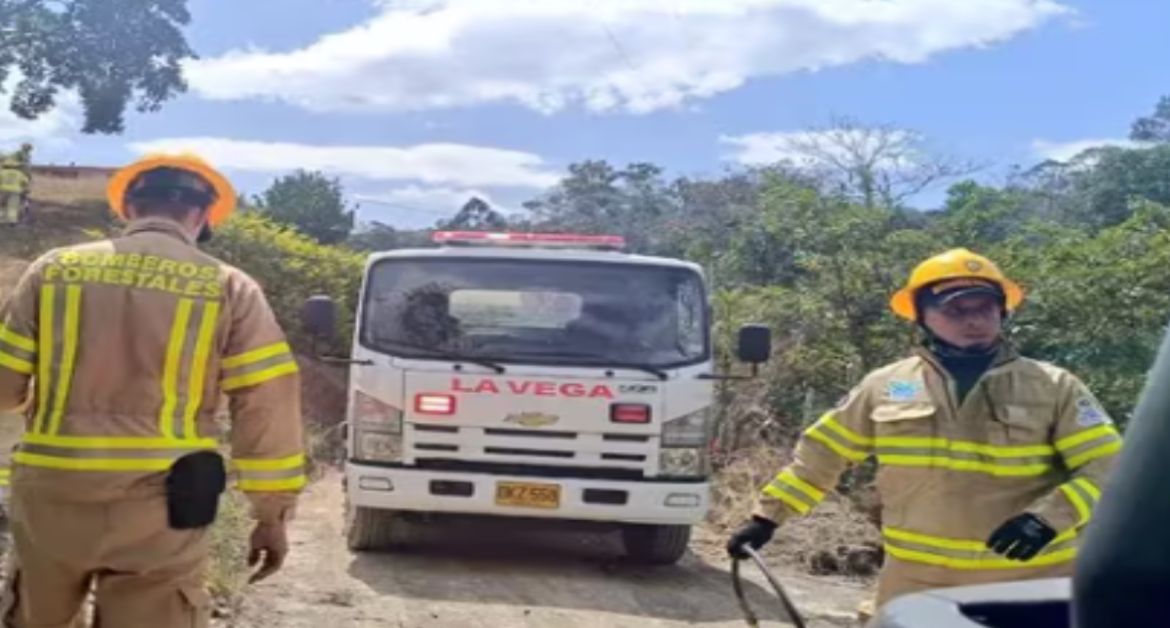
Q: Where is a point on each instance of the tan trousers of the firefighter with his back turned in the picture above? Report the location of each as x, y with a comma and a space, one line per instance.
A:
142, 574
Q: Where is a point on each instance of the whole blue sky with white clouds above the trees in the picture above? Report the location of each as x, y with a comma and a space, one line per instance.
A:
418, 105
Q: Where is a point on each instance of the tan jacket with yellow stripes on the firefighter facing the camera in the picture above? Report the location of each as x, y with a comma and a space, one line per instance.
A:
1029, 438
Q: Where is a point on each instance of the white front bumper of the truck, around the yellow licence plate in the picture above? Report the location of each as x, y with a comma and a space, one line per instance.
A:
663, 503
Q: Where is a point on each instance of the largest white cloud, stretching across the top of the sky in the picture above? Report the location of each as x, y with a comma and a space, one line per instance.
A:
631, 56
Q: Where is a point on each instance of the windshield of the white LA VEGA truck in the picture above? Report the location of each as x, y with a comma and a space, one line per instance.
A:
540, 313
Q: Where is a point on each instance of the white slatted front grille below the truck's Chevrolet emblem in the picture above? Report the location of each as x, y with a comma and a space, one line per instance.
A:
632, 454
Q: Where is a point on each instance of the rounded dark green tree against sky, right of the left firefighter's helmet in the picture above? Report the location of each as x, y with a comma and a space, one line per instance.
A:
312, 203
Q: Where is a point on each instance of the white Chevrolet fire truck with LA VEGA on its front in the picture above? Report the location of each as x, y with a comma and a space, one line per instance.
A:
531, 376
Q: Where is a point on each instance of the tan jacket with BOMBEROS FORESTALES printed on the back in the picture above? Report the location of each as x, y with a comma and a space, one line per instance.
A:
128, 347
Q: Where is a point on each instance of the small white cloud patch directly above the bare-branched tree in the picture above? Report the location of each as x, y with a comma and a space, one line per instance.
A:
815, 149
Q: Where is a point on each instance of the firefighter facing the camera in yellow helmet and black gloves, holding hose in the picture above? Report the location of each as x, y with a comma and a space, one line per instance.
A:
989, 464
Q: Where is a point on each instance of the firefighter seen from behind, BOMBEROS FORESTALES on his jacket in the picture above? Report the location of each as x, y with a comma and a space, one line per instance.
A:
133, 343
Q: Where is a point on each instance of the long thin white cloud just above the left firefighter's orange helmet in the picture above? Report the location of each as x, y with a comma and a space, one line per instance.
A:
437, 164
